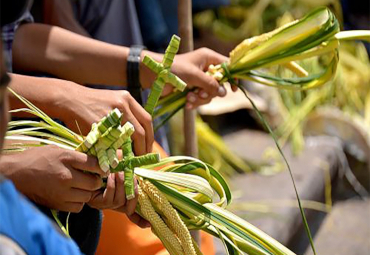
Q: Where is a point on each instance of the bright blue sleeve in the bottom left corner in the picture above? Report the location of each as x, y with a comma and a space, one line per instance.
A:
28, 227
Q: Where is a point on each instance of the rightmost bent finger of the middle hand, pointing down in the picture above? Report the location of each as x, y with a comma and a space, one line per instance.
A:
146, 121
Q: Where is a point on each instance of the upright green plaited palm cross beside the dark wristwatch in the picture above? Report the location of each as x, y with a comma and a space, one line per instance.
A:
164, 75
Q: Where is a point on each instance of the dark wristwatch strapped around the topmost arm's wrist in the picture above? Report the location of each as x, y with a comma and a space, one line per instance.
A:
132, 70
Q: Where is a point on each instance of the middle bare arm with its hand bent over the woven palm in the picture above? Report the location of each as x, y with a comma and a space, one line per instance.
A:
73, 103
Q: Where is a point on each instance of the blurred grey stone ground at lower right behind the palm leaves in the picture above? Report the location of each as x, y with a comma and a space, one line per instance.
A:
345, 230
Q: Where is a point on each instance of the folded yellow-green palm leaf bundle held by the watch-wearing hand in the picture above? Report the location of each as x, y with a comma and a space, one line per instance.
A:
317, 35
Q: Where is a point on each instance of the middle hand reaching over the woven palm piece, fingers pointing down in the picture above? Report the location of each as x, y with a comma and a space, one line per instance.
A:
86, 106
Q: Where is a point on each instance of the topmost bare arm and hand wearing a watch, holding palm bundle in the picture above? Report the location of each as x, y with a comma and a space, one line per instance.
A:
69, 56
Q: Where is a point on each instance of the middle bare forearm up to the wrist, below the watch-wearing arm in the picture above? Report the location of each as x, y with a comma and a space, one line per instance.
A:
49, 95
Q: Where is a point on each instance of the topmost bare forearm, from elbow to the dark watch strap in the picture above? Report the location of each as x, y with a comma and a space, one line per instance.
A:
69, 56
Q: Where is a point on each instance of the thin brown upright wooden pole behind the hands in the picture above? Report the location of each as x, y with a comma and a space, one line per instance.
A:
185, 24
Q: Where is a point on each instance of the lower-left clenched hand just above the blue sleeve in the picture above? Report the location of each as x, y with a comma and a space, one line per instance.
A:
54, 177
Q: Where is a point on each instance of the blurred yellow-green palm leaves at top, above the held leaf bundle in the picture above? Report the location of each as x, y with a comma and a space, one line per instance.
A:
243, 19
